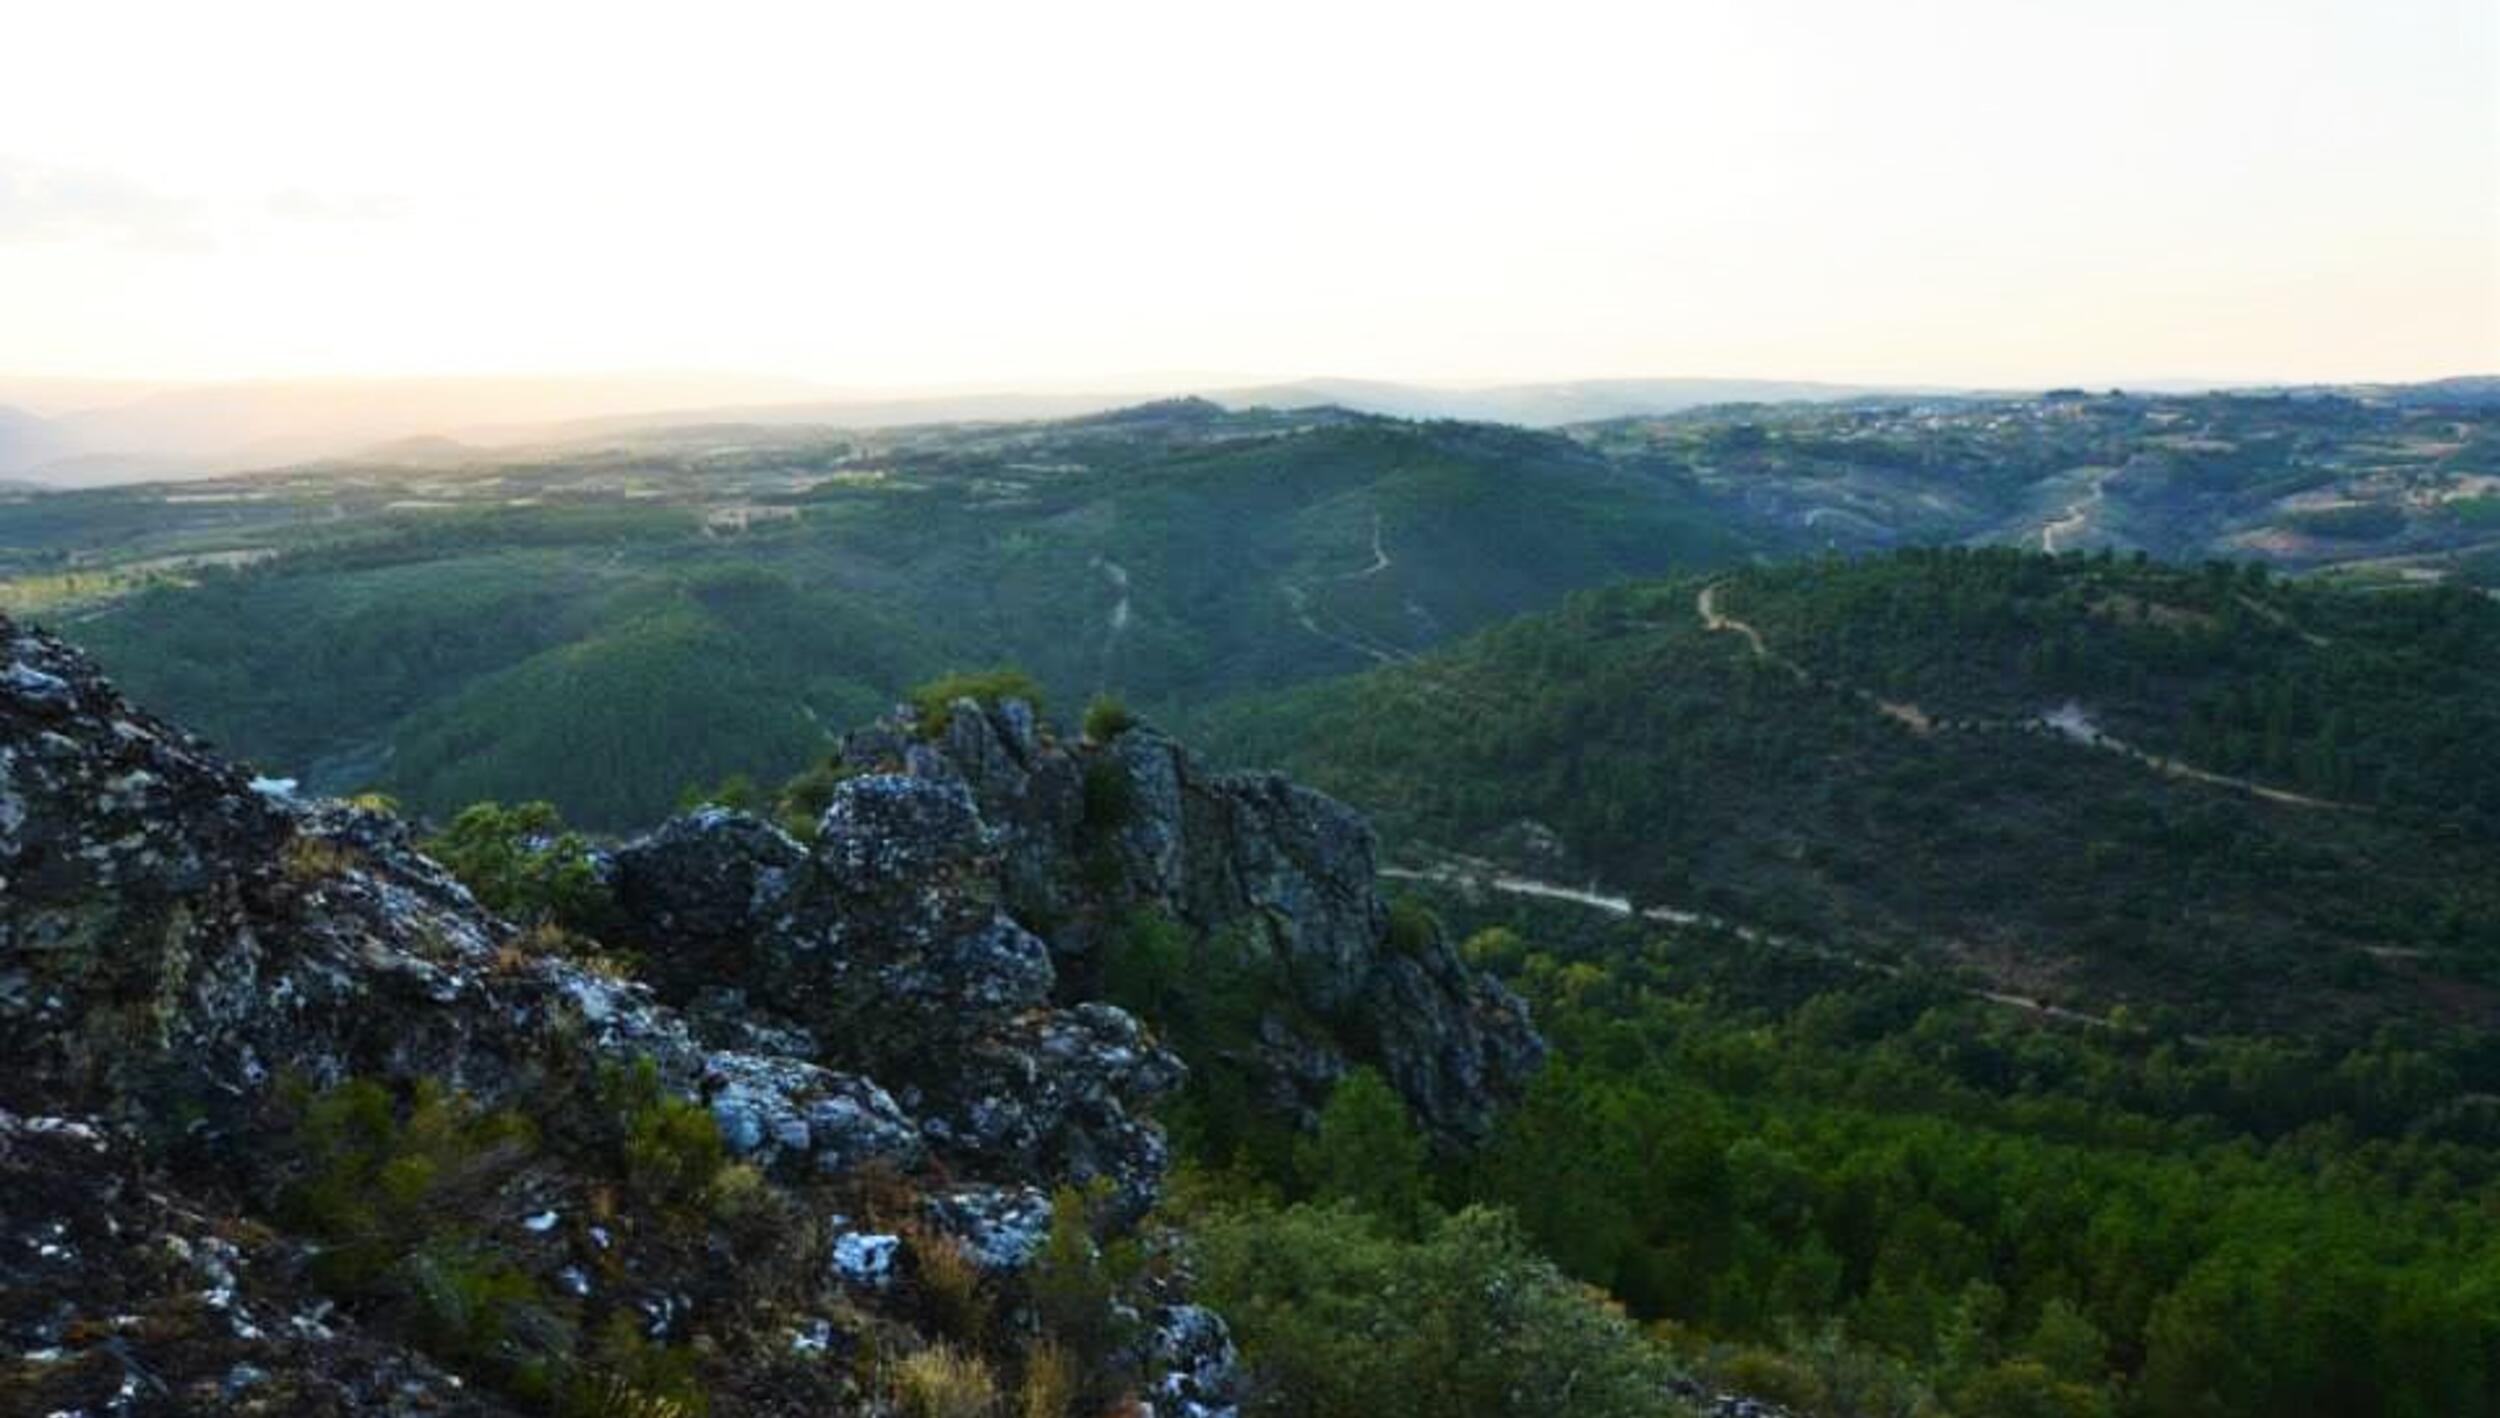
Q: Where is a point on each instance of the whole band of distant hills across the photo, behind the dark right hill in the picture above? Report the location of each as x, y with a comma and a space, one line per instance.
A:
676, 604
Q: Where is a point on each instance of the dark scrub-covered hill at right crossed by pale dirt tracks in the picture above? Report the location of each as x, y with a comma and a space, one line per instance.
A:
2084, 779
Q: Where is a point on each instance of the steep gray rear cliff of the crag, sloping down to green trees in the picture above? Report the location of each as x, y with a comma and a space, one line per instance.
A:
1089, 834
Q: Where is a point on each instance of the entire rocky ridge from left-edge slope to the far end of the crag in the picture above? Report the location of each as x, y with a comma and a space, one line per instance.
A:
884, 1027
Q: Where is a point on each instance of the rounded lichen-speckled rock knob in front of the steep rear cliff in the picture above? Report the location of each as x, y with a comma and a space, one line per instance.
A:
886, 947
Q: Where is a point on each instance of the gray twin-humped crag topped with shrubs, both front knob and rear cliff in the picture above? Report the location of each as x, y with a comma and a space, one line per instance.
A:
984, 879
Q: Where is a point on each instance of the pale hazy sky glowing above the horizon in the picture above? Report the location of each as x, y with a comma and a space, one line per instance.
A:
936, 194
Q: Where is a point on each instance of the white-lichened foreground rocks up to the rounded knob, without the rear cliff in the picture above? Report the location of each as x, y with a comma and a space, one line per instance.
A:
184, 949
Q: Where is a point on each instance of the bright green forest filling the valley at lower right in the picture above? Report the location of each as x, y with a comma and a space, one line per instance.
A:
1869, 1194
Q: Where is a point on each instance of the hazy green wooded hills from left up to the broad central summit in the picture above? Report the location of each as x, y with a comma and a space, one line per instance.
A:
611, 629
